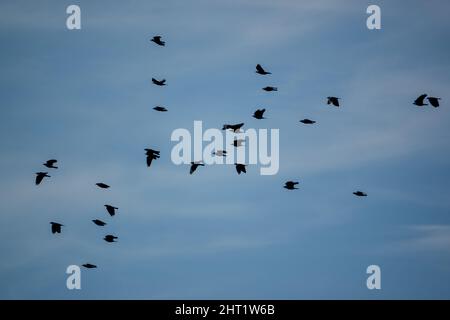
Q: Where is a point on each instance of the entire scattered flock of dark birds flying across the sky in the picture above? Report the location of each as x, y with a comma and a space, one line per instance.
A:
240, 168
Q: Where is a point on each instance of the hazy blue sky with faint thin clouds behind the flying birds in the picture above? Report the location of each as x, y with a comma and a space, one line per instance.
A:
85, 98
